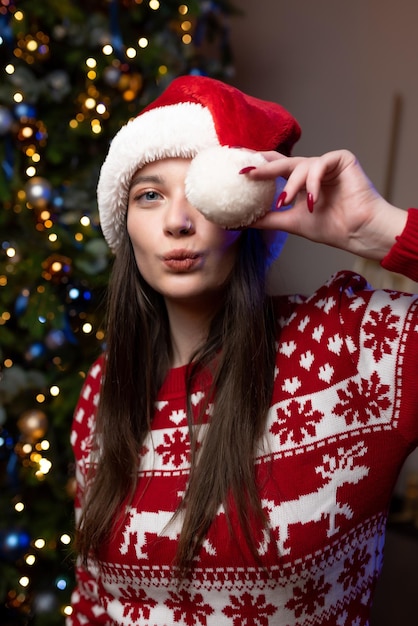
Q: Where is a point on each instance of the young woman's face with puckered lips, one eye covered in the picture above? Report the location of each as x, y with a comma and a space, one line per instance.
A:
179, 253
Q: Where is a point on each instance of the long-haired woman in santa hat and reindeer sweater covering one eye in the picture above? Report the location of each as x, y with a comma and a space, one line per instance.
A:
236, 452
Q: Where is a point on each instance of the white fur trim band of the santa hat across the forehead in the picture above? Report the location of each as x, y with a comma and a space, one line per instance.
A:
178, 130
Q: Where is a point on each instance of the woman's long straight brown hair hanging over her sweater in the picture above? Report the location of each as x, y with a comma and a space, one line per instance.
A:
242, 338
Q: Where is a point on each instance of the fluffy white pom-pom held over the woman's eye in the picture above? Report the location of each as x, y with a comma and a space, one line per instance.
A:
215, 187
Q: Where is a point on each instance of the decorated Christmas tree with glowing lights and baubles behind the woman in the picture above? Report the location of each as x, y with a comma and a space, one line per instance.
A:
71, 73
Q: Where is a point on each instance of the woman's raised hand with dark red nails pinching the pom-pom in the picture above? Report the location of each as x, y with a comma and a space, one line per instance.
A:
333, 202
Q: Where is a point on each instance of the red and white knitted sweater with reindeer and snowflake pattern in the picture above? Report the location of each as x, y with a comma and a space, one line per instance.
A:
343, 417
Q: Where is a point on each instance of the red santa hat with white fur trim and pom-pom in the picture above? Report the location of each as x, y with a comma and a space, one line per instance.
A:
205, 120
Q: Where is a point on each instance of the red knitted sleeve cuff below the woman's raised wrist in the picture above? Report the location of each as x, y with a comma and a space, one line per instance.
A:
403, 256
